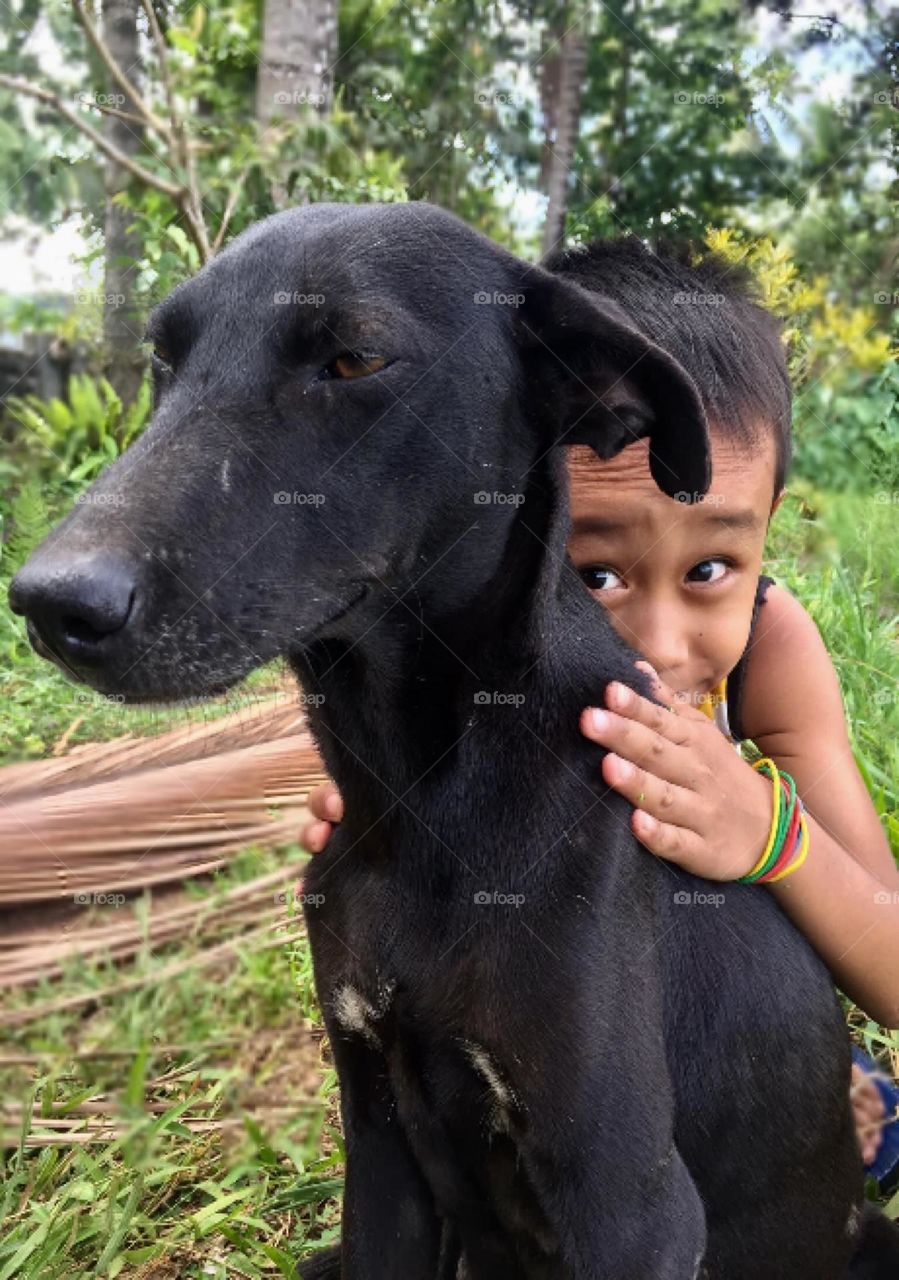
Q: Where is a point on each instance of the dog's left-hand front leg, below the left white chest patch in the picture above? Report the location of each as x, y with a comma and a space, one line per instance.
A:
391, 1229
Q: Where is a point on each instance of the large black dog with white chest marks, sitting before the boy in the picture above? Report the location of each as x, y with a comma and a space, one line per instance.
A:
549, 1068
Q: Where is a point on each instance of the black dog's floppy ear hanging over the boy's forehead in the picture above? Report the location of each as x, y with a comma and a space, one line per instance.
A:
599, 381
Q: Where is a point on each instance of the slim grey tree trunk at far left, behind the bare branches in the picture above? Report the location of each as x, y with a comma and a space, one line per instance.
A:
122, 322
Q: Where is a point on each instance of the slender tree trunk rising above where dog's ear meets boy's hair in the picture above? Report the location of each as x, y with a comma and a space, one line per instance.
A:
562, 80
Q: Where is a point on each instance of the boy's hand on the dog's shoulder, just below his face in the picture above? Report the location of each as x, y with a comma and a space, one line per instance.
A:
697, 803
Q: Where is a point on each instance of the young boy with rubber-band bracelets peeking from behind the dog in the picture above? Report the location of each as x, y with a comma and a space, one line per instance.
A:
733, 656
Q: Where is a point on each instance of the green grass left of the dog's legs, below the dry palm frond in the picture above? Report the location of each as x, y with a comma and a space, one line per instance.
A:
239, 1203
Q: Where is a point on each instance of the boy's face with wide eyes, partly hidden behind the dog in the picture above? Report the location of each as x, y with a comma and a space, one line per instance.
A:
679, 580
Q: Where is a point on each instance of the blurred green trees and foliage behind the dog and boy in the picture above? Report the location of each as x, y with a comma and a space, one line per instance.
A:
157, 130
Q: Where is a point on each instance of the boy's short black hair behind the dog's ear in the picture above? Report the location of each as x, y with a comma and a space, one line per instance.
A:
708, 314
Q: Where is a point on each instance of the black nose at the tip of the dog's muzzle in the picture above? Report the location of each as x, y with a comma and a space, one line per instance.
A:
75, 602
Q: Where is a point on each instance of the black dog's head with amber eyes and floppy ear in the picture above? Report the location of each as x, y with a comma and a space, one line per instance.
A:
350, 401
